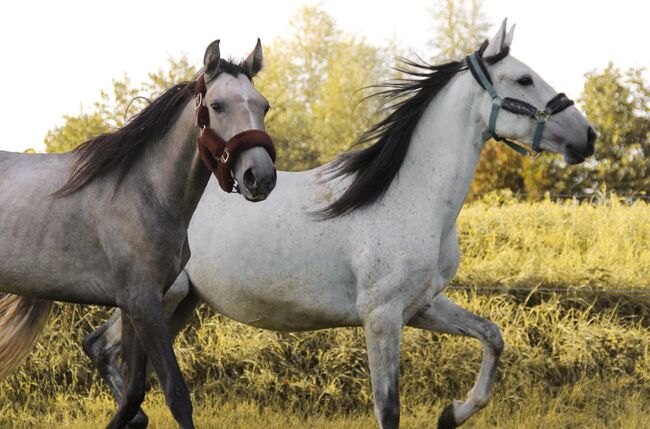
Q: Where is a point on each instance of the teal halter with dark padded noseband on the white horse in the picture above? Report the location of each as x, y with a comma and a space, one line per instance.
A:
513, 105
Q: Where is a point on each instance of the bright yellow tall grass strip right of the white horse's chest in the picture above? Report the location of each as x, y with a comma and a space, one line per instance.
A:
566, 244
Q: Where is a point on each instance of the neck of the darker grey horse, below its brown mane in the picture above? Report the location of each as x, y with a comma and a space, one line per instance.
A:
173, 169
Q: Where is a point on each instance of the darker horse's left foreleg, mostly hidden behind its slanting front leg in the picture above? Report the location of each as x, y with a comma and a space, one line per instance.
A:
135, 361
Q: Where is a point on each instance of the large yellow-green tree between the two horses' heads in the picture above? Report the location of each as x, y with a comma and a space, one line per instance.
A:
312, 79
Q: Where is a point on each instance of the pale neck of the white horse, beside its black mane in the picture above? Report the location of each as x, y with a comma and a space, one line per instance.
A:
444, 151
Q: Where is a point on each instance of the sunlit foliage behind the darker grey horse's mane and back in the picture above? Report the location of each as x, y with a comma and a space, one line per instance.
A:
112, 110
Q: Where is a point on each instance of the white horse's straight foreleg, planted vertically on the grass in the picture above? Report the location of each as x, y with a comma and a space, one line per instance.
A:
383, 333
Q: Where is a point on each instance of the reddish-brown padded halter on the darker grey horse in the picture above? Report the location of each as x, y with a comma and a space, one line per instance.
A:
217, 154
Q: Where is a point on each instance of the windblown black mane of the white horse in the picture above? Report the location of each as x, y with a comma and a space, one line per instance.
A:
375, 167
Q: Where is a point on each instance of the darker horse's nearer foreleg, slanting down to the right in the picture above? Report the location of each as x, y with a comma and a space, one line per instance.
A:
146, 313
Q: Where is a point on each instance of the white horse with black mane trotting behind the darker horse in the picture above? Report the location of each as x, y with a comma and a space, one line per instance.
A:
382, 246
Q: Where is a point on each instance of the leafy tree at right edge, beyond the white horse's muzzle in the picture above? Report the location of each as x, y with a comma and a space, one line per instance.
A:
617, 104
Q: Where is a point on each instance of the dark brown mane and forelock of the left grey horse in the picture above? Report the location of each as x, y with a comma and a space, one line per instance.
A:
116, 151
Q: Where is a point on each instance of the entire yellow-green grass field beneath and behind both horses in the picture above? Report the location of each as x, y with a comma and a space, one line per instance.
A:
571, 360
